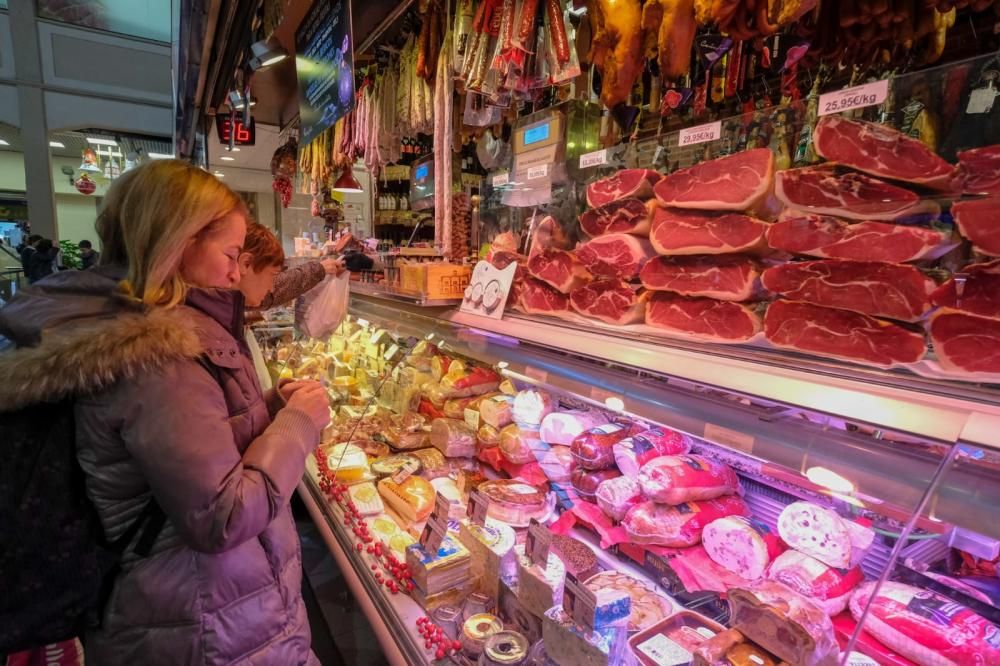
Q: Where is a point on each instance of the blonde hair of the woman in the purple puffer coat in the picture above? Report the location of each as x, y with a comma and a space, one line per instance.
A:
149, 216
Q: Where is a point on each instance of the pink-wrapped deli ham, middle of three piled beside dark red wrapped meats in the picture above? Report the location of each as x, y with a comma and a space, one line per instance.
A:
685, 478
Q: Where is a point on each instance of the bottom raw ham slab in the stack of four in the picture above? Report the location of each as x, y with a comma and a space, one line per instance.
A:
702, 318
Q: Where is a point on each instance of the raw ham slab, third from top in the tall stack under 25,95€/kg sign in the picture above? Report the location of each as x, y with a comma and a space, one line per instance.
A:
831, 238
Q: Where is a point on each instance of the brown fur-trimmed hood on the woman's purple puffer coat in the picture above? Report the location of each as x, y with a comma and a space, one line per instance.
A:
75, 334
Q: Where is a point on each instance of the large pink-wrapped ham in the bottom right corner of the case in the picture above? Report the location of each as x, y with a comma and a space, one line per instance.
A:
926, 627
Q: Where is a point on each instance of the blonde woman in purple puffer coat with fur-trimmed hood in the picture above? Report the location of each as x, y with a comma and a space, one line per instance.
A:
149, 345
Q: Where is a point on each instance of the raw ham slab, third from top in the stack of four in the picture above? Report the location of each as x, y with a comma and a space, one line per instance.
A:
728, 277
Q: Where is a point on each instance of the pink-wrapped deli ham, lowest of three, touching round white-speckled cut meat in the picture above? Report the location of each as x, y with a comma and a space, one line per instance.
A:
678, 526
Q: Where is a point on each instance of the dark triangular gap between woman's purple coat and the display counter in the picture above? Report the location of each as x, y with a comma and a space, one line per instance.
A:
341, 633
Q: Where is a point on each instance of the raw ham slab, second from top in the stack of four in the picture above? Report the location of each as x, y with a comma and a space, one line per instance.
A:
676, 231
